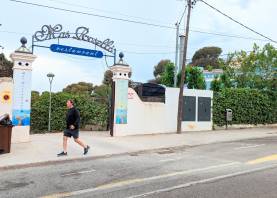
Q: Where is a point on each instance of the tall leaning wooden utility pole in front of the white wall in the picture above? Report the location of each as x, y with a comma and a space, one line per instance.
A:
180, 103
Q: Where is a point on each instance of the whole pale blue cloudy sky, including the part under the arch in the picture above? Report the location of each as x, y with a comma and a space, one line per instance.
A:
144, 46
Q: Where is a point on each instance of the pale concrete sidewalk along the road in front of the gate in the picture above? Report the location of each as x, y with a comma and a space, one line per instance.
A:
43, 148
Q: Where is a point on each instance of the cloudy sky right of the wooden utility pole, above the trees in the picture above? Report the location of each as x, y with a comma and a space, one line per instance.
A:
254, 13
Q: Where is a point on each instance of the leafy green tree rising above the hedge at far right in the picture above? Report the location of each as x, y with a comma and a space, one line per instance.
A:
256, 69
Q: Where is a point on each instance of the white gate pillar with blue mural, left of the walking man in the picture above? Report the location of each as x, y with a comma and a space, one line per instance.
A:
21, 100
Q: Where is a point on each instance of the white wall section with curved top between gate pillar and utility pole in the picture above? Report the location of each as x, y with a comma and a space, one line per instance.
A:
149, 117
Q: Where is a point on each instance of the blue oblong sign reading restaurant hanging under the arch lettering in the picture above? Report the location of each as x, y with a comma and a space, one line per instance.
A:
76, 51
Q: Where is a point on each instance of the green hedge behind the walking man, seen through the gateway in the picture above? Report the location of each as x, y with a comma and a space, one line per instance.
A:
91, 112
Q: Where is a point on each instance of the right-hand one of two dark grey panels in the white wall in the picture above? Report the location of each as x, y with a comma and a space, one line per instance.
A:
204, 109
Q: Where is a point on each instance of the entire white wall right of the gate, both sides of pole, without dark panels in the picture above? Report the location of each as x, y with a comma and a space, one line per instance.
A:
154, 117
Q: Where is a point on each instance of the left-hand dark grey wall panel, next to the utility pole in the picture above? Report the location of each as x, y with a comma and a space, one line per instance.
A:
189, 104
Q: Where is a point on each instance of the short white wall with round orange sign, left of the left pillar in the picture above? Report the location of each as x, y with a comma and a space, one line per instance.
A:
6, 87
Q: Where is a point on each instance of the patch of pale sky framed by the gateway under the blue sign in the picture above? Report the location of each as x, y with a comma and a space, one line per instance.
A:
66, 72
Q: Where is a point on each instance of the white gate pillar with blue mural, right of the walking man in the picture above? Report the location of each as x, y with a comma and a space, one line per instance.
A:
121, 79
